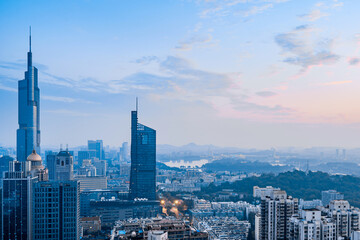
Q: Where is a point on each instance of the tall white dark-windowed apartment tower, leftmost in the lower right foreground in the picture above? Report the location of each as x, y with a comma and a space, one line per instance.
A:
276, 211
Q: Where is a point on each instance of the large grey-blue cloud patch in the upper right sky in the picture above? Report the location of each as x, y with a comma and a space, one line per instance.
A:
301, 49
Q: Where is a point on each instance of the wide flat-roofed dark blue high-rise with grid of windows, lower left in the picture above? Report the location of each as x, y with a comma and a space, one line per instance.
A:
56, 210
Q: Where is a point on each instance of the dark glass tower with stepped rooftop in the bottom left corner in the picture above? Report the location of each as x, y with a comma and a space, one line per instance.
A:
16, 202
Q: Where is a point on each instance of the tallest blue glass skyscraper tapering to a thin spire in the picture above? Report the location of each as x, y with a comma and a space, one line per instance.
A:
28, 134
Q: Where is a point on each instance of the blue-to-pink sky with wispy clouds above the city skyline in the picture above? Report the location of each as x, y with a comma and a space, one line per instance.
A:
241, 73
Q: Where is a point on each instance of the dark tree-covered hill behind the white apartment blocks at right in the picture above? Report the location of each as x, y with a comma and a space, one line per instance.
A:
297, 184
